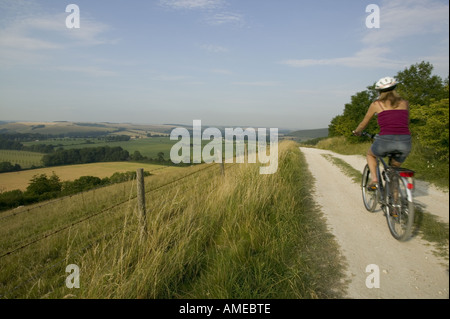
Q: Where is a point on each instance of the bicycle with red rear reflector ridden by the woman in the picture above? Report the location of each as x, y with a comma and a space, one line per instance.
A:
394, 192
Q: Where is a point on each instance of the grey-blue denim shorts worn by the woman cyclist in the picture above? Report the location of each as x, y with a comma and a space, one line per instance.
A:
399, 145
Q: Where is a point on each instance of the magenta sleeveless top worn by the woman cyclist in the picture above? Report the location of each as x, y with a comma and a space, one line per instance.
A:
394, 122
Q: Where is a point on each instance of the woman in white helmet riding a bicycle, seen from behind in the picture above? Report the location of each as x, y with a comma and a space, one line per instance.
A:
393, 120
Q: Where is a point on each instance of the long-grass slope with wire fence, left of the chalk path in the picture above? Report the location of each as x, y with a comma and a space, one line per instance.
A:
243, 236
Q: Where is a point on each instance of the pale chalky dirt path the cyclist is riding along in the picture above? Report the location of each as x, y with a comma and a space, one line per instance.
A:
407, 270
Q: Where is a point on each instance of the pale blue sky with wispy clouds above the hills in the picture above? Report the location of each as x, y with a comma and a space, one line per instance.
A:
262, 63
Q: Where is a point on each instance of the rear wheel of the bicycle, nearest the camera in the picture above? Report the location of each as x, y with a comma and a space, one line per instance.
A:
399, 208
